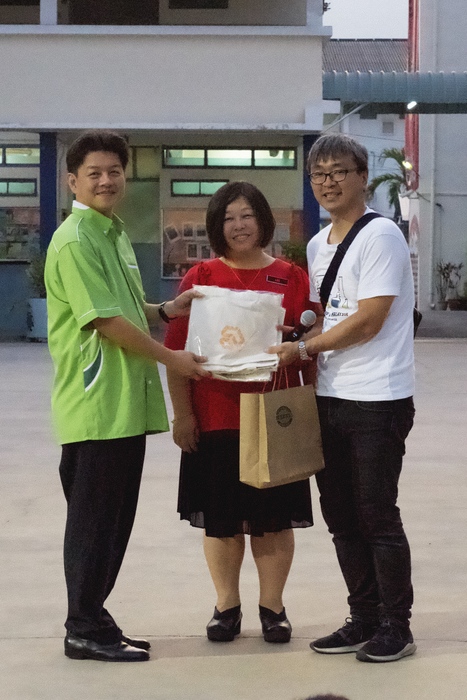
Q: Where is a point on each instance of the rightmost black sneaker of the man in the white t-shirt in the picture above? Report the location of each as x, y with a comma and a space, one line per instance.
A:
392, 641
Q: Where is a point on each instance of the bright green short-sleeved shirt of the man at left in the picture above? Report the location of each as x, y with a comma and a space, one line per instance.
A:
100, 391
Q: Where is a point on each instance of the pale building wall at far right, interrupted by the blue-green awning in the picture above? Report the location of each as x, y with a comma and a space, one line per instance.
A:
442, 191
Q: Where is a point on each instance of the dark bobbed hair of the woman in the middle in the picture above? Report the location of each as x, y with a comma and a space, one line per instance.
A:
219, 202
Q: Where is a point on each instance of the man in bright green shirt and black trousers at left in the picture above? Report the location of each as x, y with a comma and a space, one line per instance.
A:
107, 394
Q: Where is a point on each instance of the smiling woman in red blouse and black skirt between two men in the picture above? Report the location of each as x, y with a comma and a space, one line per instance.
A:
240, 225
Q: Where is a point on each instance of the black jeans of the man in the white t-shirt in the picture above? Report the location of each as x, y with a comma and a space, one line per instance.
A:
364, 443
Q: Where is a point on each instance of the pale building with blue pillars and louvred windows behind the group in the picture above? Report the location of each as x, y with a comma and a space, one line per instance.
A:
205, 92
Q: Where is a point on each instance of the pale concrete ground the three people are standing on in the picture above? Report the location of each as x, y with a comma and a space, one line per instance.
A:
164, 590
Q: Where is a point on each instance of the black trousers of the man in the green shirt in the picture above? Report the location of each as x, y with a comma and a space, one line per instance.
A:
101, 480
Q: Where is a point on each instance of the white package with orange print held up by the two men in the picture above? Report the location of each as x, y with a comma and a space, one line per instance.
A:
233, 329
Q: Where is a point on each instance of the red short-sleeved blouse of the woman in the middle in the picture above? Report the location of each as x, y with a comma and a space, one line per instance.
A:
216, 403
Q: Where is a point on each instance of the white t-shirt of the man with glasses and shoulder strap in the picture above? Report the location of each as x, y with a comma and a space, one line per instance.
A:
376, 264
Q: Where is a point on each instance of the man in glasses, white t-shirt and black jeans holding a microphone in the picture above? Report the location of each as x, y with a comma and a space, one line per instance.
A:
364, 394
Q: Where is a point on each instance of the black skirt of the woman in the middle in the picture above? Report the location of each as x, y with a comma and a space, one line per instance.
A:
212, 497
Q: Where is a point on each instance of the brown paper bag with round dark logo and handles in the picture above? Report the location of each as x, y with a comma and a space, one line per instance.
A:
280, 439
